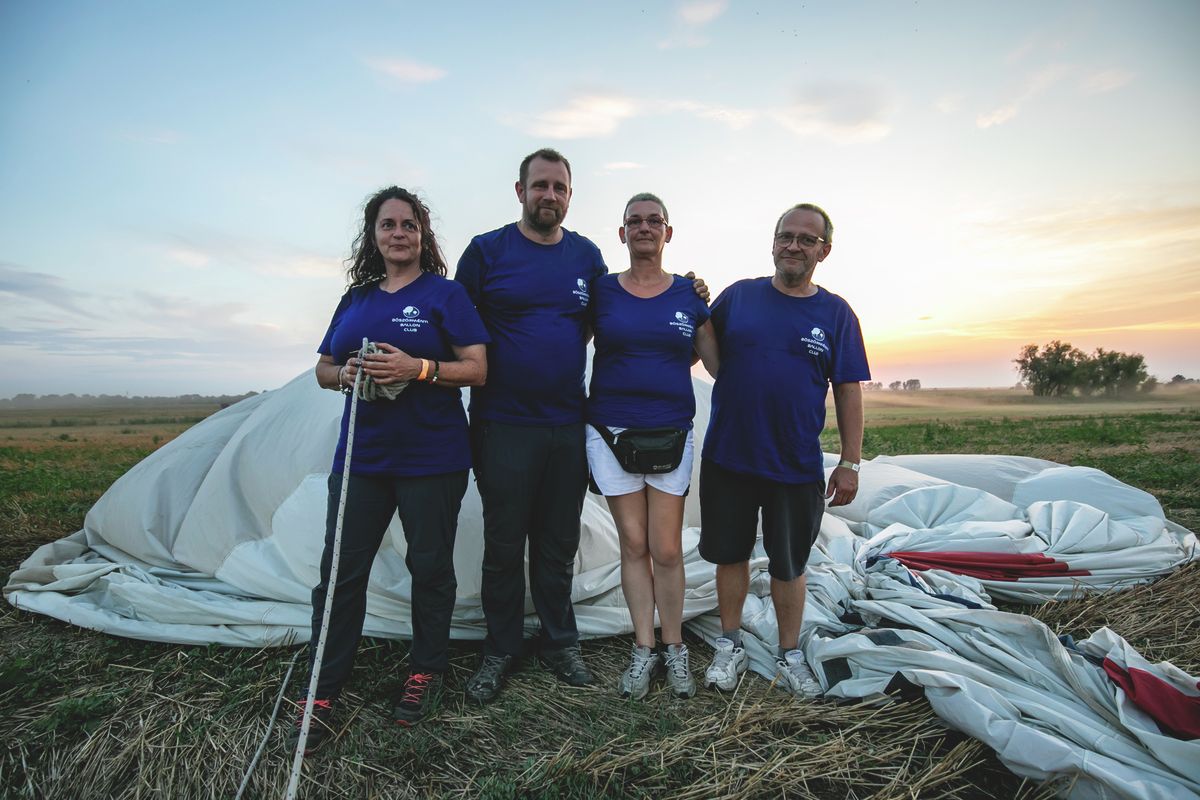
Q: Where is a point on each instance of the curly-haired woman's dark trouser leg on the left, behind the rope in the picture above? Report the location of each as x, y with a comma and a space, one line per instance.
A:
369, 510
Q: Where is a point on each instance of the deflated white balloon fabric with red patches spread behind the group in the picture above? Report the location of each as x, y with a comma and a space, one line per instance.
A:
217, 538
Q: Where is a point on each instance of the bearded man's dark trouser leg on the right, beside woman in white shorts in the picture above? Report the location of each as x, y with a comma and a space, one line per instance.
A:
555, 538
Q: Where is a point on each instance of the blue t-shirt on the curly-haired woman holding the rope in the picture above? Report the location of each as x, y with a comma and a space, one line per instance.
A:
424, 431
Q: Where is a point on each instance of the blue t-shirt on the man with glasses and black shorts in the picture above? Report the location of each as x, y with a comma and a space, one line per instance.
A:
779, 354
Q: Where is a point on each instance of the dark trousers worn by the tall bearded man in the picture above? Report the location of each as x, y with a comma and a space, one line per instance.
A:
532, 483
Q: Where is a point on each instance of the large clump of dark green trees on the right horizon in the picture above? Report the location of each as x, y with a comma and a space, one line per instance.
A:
1059, 370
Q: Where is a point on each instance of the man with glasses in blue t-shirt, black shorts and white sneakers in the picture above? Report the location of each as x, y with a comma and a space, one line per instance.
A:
783, 342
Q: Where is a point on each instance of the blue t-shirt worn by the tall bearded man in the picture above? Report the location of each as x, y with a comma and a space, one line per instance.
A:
535, 302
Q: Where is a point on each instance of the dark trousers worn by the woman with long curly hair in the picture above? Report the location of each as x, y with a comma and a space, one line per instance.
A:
429, 512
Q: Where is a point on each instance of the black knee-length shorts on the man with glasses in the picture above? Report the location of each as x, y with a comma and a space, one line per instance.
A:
729, 519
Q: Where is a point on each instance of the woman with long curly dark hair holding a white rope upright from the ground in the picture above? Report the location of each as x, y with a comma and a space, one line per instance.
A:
411, 453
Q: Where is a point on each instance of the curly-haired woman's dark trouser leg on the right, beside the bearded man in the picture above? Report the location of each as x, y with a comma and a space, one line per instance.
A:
429, 512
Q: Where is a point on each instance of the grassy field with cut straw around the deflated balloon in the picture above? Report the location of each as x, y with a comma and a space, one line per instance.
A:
94, 717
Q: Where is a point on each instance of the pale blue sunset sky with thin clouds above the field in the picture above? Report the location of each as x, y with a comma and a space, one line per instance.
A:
181, 183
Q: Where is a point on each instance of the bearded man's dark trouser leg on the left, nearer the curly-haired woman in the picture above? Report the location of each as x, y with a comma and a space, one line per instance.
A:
511, 460
